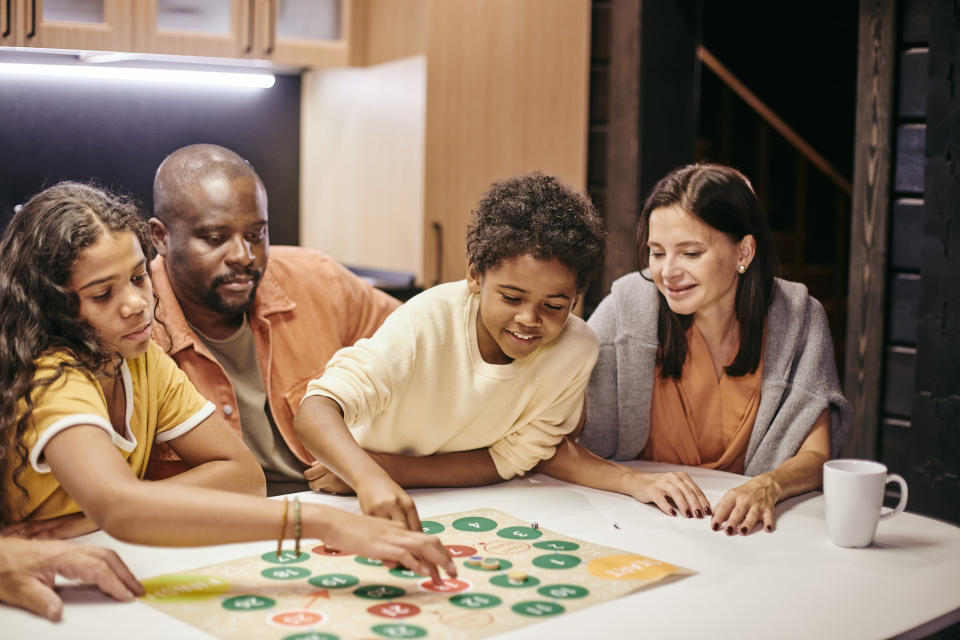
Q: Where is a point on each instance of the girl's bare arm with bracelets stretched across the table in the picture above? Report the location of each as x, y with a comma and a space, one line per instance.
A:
160, 513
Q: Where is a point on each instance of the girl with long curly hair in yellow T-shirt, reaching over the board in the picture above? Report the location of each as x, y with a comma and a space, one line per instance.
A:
85, 394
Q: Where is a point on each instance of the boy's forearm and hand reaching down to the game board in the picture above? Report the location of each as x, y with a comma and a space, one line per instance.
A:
319, 425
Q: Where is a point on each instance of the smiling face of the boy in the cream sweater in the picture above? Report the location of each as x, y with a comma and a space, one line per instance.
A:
524, 303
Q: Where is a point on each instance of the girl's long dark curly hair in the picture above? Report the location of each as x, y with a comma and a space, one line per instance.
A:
39, 314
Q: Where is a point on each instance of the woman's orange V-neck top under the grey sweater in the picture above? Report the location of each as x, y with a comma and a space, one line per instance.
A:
698, 420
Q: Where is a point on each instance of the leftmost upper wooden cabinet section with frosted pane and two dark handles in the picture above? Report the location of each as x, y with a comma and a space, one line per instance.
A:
67, 24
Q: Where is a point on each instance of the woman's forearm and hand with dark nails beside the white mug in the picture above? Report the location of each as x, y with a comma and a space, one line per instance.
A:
743, 507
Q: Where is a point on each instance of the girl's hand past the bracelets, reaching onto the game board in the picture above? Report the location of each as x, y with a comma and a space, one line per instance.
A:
389, 541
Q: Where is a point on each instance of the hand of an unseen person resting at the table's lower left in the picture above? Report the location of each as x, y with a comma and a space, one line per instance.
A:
29, 567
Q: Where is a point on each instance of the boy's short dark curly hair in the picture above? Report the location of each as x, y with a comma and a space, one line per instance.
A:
537, 215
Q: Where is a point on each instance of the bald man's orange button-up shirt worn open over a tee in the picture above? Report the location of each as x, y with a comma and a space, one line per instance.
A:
306, 308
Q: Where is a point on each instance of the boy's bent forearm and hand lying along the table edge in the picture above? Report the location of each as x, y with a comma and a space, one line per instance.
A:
461, 469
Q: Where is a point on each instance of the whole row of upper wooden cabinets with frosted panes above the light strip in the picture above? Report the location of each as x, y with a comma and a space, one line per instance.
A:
303, 33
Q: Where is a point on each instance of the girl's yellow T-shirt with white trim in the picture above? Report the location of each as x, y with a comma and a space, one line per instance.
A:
161, 404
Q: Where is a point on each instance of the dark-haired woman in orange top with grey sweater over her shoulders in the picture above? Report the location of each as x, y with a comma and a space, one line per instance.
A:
708, 360
